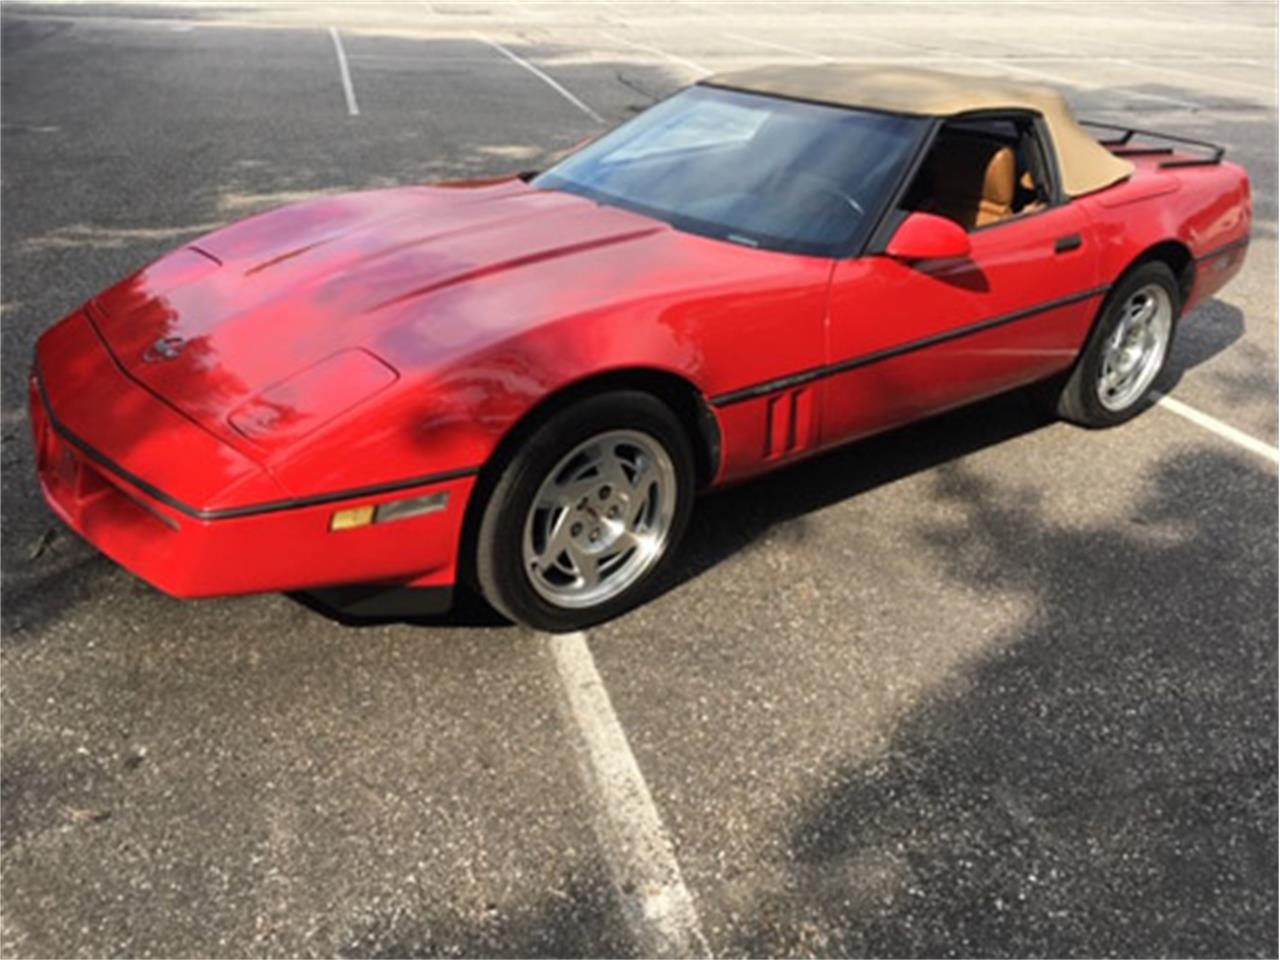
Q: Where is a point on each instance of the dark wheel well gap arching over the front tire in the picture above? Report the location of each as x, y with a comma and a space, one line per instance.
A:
680, 395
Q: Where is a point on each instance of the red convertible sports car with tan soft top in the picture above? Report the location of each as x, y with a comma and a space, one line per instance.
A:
524, 382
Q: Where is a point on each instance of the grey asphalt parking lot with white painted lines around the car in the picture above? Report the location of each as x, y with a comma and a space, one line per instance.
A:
991, 685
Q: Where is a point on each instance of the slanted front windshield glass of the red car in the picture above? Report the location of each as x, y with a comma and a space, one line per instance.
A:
751, 170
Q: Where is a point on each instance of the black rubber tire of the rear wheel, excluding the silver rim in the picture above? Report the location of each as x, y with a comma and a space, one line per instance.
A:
1080, 401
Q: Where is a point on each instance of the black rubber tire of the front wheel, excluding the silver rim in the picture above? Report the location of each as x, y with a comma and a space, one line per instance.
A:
500, 568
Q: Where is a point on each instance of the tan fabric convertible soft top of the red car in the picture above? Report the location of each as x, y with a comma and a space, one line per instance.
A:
1086, 166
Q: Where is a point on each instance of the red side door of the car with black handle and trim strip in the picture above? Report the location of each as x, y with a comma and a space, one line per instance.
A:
912, 339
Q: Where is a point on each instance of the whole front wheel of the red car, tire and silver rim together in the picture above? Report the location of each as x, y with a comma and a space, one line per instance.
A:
587, 514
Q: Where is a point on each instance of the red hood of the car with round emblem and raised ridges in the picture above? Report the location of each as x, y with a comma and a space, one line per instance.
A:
271, 319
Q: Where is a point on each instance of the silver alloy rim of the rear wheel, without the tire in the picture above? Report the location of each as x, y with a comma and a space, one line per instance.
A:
1136, 350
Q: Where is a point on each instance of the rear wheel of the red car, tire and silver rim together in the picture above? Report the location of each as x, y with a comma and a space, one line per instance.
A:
1114, 378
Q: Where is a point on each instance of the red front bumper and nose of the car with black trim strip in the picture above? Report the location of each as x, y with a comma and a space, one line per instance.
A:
190, 551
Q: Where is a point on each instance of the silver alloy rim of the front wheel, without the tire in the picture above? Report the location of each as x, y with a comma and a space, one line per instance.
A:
601, 519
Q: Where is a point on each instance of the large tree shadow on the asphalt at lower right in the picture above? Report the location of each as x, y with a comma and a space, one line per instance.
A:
1104, 783
